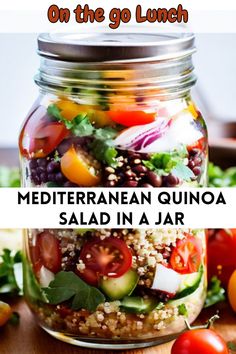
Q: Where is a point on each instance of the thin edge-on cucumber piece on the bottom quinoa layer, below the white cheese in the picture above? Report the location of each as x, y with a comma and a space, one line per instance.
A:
137, 304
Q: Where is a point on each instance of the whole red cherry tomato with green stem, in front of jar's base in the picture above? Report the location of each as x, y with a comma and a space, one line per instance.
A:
199, 341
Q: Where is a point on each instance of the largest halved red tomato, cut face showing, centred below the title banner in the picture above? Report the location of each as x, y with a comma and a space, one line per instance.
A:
110, 257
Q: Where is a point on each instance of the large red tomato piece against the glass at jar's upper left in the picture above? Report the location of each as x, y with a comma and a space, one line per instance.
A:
40, 135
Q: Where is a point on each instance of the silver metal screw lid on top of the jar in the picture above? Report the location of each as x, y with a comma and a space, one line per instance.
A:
130, 46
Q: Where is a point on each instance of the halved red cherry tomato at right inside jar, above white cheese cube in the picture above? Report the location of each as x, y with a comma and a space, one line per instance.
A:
186, 256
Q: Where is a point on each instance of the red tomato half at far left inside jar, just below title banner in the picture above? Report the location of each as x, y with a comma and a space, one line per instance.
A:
48, 252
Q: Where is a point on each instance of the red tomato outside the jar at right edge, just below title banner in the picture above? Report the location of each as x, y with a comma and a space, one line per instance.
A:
221, 253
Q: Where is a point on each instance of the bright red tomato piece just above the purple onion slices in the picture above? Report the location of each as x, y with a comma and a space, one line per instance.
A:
131, 118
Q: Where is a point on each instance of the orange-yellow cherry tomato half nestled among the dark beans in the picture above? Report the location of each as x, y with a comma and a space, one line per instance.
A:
80, 168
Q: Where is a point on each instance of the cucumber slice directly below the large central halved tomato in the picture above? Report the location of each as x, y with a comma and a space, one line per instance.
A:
117, 288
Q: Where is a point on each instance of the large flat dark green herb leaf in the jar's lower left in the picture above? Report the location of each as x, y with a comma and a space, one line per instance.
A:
67, 285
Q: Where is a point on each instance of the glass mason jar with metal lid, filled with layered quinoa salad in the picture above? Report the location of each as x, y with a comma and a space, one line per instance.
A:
114, 111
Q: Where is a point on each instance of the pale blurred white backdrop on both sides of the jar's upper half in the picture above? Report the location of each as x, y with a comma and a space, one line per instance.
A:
215, 92
